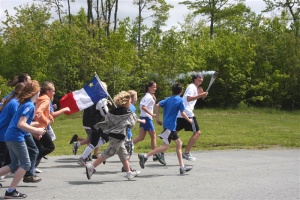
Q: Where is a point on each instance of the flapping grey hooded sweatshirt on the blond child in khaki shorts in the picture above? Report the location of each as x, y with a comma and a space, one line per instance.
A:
117, 121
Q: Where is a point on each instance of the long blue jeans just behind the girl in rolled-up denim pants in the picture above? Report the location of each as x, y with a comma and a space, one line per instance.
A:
33, 154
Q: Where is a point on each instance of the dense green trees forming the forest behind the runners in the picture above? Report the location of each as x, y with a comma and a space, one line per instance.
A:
257, 57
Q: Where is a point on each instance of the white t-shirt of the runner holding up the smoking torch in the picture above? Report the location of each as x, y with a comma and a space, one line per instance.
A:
191, 90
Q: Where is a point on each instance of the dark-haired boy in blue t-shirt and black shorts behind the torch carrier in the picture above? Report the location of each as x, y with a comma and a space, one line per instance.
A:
172, 105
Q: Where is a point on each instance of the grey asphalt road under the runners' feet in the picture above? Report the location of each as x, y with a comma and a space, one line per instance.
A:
234, 174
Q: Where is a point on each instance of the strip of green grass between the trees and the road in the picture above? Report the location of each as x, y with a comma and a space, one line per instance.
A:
221, 130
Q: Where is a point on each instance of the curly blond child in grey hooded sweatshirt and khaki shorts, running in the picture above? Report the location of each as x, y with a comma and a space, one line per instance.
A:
115, 125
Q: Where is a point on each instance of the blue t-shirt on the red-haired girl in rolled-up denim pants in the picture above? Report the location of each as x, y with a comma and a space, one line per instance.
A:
15, 134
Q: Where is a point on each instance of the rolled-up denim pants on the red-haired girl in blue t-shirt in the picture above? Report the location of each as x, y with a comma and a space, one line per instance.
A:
19, 156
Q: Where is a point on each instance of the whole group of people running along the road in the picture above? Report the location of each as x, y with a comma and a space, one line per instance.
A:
26, 135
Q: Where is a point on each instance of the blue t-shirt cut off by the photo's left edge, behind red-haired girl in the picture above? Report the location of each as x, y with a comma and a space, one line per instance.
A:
6, 115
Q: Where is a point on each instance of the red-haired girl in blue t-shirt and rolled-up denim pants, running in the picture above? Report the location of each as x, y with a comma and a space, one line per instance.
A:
20, 127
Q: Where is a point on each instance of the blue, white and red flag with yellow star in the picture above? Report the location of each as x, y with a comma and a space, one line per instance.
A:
83, 98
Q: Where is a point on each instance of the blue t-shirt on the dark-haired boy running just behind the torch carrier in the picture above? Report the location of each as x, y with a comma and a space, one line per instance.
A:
172, 105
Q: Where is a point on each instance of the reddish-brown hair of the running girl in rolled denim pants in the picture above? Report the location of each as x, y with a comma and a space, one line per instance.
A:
30, 89
